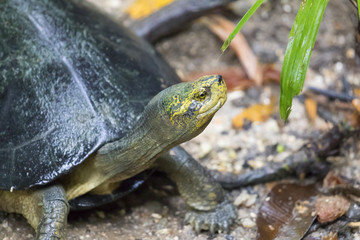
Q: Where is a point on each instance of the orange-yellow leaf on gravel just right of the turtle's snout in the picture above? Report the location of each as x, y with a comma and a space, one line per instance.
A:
255, 113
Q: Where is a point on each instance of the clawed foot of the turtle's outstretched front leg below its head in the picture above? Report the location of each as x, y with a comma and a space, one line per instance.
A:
217, 220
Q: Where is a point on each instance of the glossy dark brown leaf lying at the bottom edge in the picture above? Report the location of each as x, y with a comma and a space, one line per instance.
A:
286, 212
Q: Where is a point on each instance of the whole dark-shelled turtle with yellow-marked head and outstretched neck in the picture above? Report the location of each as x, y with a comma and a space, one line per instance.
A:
87, 110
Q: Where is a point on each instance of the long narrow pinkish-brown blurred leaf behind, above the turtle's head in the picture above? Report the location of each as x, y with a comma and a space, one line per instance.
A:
222, 28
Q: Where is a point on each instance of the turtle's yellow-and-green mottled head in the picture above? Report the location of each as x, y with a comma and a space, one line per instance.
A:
187, 108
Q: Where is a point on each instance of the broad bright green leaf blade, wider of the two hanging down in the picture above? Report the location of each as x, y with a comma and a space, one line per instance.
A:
297, 56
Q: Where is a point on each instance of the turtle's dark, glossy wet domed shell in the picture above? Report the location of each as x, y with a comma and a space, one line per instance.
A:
71, 80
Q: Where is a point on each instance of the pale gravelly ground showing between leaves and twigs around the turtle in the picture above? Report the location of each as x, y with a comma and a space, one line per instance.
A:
155, 211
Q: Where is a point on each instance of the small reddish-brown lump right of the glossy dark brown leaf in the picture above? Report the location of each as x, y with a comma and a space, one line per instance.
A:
329, 208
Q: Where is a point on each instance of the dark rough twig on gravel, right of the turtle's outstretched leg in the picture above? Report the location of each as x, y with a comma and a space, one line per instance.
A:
309, 160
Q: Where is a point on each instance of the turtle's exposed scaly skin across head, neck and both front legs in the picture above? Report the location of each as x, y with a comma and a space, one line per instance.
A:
175, 115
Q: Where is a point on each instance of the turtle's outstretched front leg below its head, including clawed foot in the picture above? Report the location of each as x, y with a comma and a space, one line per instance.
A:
210, 208
